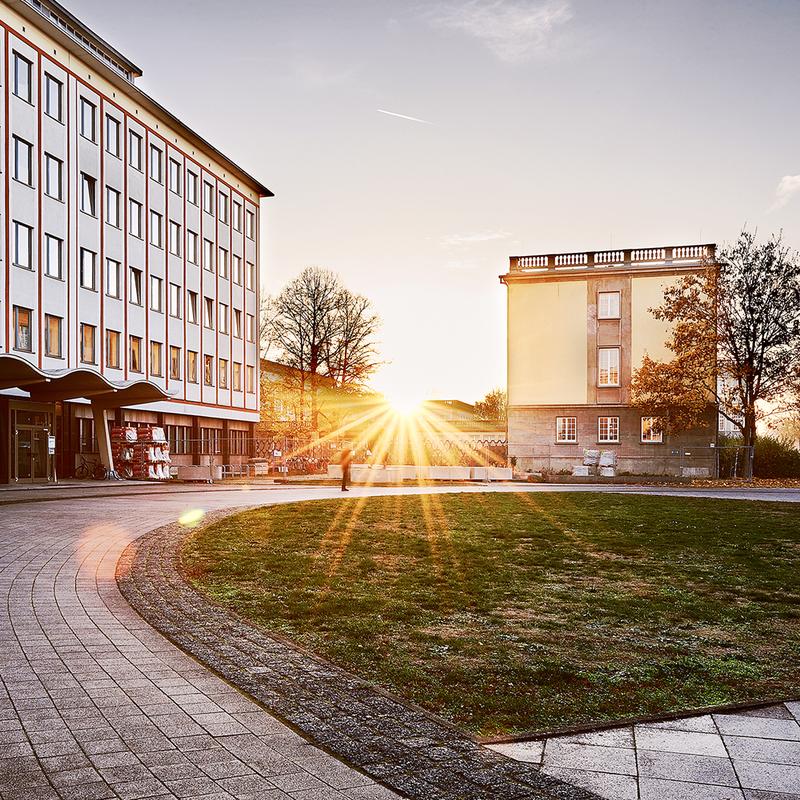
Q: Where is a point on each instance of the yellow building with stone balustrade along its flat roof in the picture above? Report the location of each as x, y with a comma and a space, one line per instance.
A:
579, 324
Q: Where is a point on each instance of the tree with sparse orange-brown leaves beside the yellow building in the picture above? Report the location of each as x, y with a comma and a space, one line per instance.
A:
736, 340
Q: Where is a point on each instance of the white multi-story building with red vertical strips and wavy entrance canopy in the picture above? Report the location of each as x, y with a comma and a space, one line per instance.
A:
130, 259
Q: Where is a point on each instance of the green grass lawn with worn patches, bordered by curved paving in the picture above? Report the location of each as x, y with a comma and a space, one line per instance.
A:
514, 612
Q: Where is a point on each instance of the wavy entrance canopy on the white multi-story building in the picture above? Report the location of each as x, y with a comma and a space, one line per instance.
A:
45, 386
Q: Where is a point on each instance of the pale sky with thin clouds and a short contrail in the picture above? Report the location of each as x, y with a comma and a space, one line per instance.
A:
516, 127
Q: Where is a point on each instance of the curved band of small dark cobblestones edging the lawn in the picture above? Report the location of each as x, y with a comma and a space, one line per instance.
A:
399, 745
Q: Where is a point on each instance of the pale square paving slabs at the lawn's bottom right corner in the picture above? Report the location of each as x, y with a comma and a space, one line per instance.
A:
746, 755
